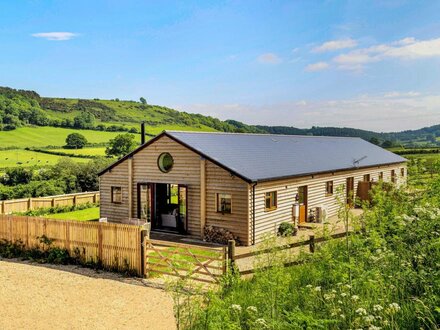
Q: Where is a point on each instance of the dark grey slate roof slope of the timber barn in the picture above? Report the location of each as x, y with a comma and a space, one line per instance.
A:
261, 157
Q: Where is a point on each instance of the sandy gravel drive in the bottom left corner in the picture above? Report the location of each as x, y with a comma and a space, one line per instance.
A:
37, 297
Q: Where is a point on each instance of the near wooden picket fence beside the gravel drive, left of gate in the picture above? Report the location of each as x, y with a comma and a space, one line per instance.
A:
116, 246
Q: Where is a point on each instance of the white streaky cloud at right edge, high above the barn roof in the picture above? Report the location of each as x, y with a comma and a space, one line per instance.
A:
407, 49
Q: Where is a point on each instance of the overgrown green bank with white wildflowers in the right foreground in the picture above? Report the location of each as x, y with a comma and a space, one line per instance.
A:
387, 277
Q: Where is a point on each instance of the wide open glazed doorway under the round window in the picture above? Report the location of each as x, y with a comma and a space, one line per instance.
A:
164, 205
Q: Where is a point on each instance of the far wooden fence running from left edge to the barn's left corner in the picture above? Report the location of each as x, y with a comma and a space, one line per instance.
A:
26, 204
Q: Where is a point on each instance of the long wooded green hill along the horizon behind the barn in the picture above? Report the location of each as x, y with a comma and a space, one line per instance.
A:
20, 108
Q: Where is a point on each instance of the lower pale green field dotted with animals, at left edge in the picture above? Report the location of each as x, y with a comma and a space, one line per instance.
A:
12, 158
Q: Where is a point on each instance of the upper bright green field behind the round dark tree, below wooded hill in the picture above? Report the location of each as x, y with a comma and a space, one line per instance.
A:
49, 136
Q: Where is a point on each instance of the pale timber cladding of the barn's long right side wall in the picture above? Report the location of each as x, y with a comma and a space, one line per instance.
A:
267, 222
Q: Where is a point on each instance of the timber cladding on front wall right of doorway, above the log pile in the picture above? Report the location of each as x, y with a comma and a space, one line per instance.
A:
218, 181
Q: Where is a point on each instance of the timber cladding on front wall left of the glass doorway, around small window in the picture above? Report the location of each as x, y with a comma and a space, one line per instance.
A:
117, 177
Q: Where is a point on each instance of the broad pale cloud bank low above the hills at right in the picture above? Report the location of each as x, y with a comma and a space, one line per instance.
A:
393, 111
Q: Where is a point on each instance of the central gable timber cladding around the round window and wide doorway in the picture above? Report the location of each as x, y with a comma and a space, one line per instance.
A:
186, 171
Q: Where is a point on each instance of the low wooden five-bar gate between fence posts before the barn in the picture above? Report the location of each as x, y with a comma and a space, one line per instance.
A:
186, 261
